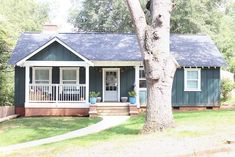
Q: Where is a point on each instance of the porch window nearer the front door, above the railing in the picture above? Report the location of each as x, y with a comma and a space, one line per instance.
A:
69, 75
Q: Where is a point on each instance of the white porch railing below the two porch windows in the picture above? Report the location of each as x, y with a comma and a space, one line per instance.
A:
57, 93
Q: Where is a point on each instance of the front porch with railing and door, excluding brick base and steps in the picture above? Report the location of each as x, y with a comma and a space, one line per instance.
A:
69, 85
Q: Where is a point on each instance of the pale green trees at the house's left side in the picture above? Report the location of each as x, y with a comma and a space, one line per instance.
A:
15, 17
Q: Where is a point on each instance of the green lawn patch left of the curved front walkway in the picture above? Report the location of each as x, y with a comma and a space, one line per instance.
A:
27, 129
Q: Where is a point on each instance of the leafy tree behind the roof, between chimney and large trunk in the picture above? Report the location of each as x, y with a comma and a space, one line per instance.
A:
102, 16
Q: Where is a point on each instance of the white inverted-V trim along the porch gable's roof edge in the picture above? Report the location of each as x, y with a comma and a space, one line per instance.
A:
55, 39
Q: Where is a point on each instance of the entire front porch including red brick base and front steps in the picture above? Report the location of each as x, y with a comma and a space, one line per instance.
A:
52, 89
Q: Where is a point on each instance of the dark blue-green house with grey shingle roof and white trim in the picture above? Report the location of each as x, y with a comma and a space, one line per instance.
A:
54, 73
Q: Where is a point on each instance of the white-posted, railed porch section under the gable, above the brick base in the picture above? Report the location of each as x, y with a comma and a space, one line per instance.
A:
54, 85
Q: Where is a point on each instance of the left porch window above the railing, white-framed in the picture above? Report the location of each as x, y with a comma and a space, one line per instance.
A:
41, 75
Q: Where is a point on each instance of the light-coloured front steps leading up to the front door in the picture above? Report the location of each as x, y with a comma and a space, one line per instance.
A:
110, 109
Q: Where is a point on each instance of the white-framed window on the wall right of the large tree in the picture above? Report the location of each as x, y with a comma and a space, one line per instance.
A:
192, 79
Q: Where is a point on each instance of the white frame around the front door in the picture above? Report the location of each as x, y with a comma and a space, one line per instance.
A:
103, 81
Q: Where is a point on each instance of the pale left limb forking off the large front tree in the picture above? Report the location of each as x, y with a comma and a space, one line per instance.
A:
139, 20
